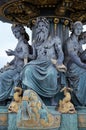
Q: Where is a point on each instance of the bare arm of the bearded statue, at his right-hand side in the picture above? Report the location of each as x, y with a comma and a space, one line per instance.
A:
58, 48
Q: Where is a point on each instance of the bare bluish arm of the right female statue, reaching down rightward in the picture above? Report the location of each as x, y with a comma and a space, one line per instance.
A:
74, 56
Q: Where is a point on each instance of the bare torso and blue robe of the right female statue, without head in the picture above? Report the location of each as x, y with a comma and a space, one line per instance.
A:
76, 75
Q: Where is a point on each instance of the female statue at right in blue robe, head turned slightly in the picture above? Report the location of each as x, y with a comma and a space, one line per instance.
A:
76, 68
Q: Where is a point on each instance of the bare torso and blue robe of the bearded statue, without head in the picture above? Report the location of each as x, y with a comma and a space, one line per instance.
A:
40, 74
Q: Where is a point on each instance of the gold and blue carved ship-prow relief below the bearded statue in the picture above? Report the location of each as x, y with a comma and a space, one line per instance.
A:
34, 114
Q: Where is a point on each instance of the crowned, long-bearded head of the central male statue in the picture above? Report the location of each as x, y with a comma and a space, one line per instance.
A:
42, 29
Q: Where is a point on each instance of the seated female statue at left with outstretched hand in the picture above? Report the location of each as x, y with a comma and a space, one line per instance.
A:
10, 75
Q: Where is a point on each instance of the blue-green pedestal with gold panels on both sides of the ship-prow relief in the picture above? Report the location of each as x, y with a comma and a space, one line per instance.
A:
68, 121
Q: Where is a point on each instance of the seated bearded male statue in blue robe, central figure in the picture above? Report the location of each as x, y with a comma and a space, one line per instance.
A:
41, 74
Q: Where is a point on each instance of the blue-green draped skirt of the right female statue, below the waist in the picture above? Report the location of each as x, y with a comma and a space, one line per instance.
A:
77, 79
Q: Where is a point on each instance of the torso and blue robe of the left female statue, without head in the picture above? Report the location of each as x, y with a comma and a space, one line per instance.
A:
10, 78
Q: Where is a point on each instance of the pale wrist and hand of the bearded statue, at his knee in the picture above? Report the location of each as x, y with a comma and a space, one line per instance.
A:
59, 67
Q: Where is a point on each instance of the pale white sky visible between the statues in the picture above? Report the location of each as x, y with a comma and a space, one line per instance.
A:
8, 41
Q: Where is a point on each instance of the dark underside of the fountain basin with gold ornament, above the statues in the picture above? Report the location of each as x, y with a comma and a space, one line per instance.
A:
21, 11
